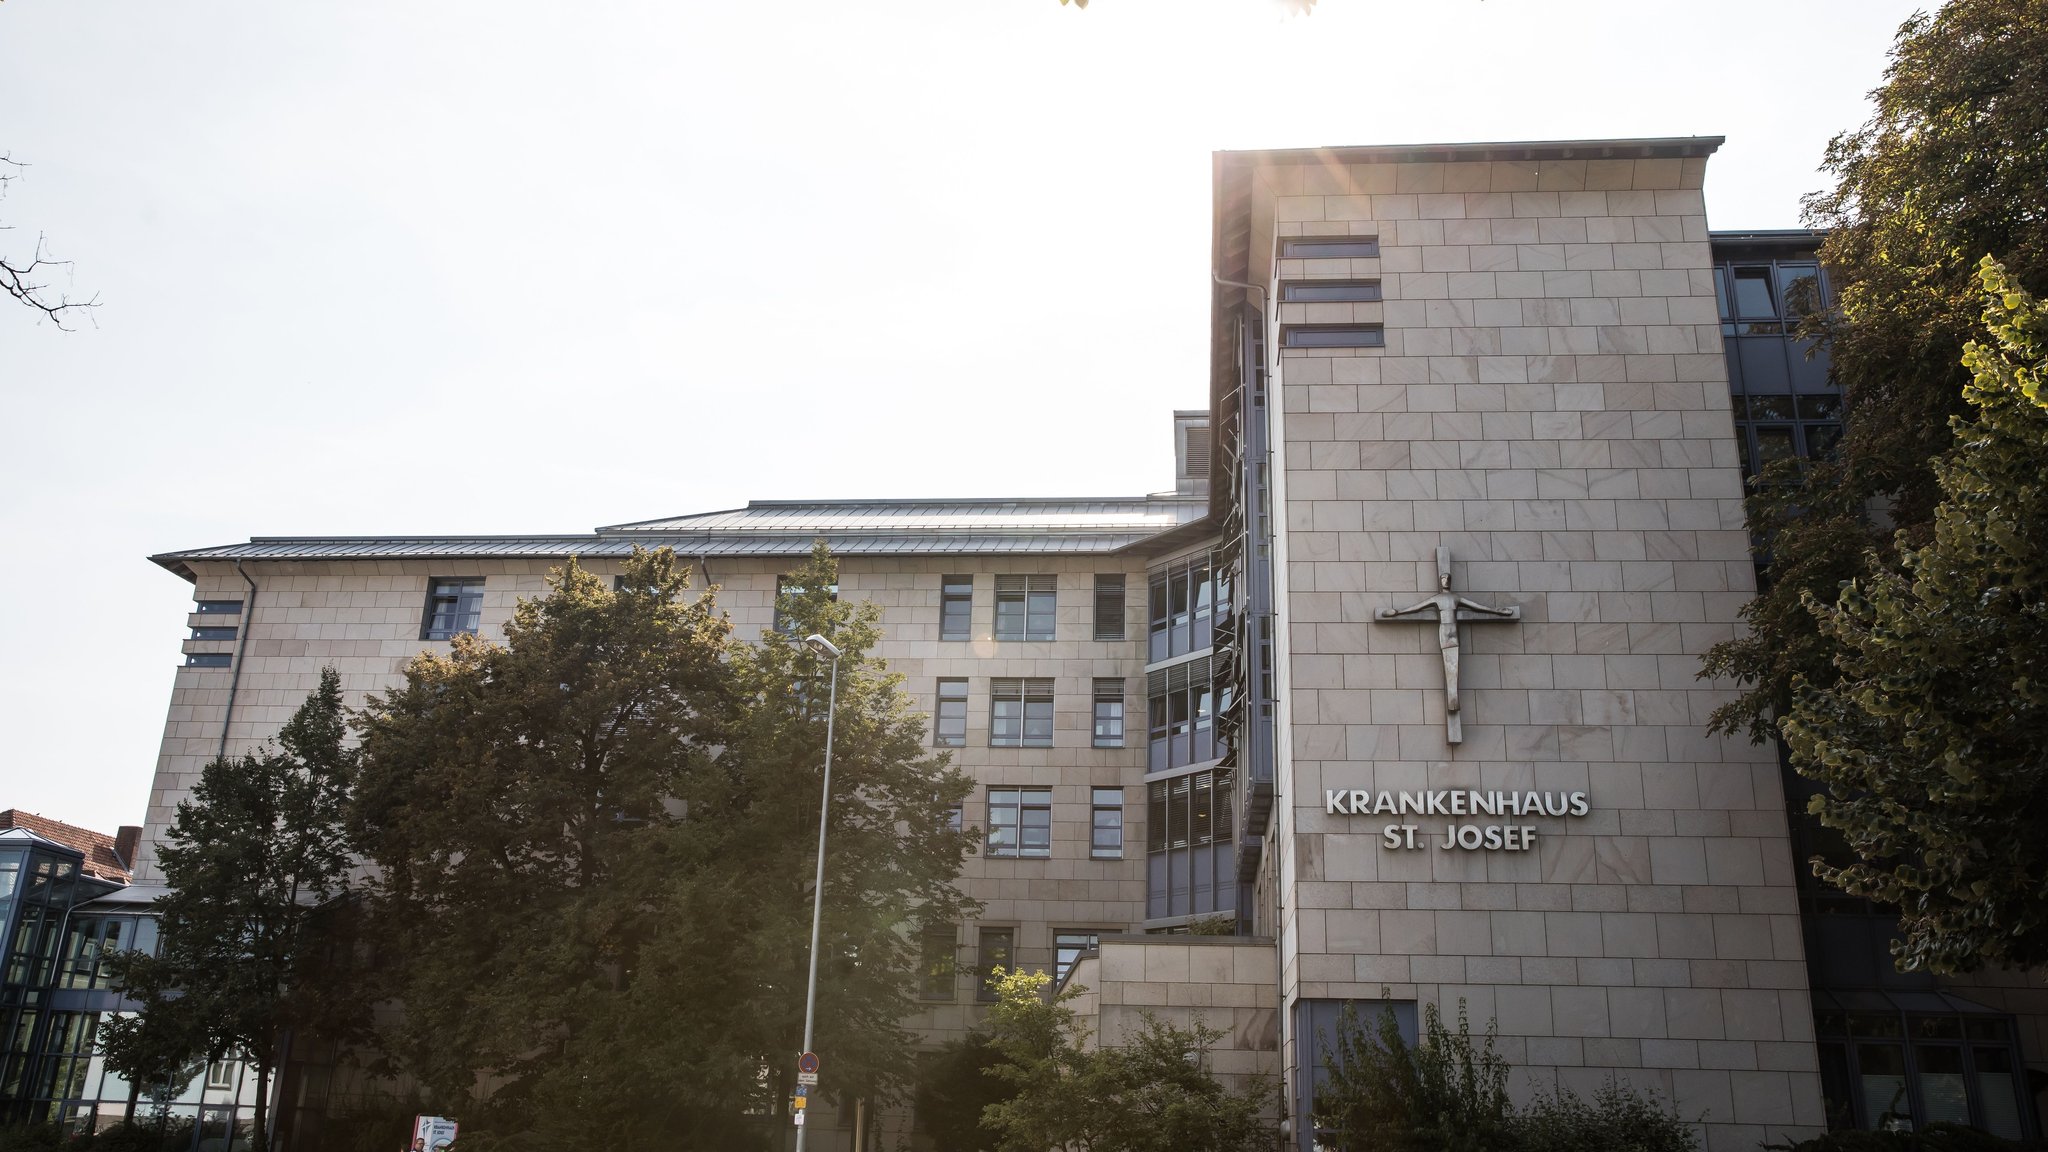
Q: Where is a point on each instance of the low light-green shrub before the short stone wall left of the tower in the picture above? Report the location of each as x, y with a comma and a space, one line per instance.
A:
1152, 1094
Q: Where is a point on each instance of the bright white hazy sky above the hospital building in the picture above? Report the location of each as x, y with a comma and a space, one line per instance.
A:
460, 268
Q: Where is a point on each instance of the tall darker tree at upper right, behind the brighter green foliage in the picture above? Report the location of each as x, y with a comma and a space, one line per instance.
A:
1949, 167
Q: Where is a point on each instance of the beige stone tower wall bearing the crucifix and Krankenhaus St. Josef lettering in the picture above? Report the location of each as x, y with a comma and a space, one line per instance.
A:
1551, 405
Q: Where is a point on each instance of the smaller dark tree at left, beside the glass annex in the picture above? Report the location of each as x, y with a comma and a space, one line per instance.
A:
255, 862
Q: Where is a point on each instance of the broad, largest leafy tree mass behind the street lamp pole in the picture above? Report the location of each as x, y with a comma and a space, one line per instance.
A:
597, 848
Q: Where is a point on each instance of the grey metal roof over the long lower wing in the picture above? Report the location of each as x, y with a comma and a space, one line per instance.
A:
779, 528
